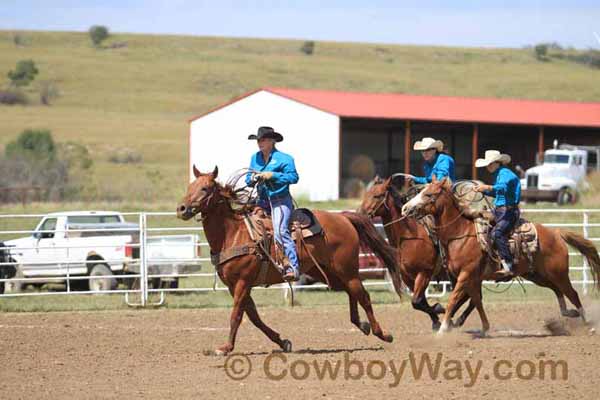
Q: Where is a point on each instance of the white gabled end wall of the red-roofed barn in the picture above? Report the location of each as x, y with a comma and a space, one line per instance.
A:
311, 136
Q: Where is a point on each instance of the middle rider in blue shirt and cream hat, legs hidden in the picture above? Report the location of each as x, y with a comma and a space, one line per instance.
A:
437, 162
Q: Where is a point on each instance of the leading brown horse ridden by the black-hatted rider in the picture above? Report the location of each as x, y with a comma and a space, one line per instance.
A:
336, 252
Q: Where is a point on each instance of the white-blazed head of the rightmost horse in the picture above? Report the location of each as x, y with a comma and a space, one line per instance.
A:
431, 200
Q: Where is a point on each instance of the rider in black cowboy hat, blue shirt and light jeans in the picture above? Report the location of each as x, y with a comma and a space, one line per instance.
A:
275, 172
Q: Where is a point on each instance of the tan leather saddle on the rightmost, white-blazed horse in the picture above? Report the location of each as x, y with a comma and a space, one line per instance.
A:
523, 239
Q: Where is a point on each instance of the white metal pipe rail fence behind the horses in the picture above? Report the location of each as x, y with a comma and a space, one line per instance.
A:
63, 267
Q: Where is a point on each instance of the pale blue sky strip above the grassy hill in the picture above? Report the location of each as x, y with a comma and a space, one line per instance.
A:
491, 23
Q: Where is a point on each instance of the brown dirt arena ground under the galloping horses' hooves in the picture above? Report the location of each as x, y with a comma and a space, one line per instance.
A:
164, 354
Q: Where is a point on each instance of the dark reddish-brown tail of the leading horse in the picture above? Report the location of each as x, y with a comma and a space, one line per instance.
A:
370, 238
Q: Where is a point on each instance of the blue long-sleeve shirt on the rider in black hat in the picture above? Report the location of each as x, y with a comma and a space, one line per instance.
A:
284, 174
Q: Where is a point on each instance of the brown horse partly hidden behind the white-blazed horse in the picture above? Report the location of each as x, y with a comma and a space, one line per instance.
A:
417, 255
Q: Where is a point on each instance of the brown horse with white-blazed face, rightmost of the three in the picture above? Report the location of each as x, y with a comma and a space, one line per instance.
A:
468, 262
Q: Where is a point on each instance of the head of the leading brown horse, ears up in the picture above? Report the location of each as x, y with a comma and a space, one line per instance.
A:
201, 196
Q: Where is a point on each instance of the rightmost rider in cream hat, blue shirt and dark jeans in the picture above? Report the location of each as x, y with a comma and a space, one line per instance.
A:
507, 192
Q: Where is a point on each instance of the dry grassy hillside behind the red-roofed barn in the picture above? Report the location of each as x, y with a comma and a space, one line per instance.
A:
141, 95
